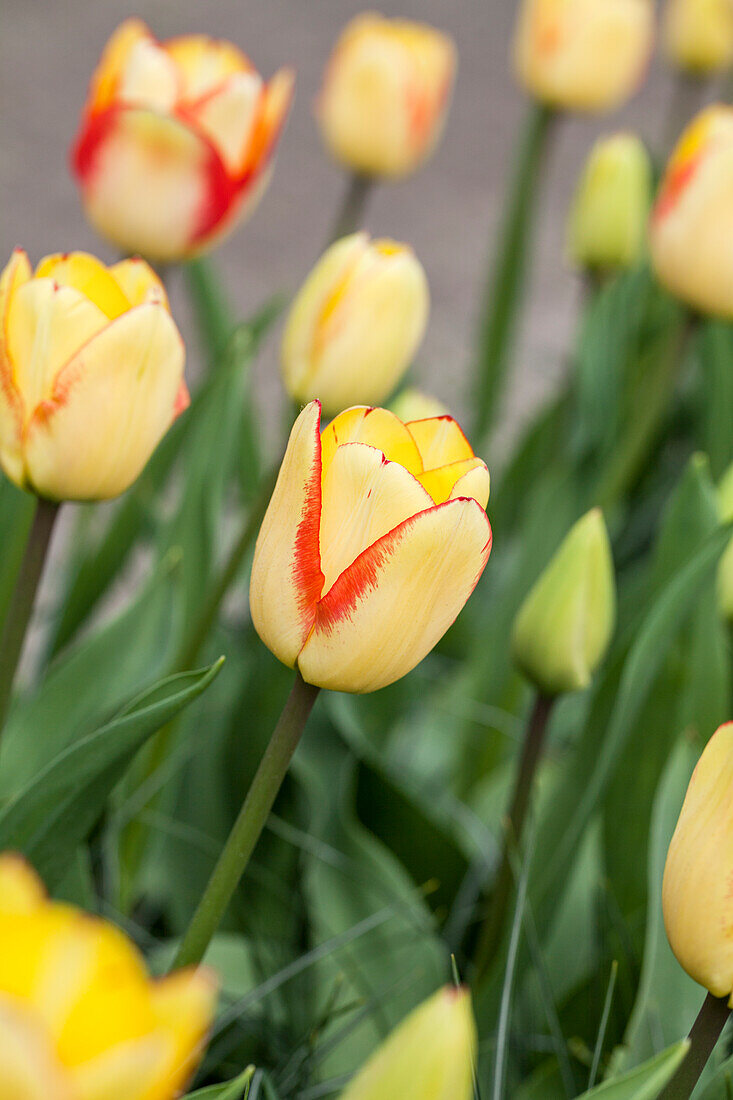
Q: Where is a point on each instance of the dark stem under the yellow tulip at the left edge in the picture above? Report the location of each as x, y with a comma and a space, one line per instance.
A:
24, 599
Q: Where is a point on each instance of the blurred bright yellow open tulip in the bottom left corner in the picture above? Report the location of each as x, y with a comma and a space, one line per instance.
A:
80, 1017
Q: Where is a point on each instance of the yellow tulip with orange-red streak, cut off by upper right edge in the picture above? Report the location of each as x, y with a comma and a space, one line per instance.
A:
692, 232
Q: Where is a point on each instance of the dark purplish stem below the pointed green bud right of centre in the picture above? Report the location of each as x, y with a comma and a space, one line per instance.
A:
532, 752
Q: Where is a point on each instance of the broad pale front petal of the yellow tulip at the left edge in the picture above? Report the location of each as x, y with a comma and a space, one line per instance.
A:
108, 409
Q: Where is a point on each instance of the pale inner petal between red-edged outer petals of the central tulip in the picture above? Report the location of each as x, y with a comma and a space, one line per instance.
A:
364, 498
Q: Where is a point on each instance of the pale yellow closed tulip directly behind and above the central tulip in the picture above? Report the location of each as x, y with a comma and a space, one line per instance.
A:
356, 324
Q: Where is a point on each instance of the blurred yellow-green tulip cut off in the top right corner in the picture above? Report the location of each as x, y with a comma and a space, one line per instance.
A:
698, 36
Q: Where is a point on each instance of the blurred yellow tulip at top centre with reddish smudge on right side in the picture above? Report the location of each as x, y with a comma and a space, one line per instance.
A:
386, 95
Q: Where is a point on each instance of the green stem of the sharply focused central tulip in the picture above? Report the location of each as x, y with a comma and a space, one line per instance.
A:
249, 826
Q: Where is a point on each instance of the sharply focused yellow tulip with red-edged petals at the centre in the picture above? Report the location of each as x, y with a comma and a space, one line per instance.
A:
375, 540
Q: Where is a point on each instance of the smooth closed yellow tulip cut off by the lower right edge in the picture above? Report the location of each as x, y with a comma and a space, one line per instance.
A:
697, 884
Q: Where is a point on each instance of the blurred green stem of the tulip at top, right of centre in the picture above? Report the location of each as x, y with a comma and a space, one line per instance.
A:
505, 294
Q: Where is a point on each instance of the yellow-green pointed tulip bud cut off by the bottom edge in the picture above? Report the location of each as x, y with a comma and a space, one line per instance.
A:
429, 1057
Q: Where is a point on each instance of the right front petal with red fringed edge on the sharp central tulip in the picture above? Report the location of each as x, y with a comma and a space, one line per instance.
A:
388, 611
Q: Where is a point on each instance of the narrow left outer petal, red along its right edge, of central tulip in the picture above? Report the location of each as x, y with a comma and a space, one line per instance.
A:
287, 579
